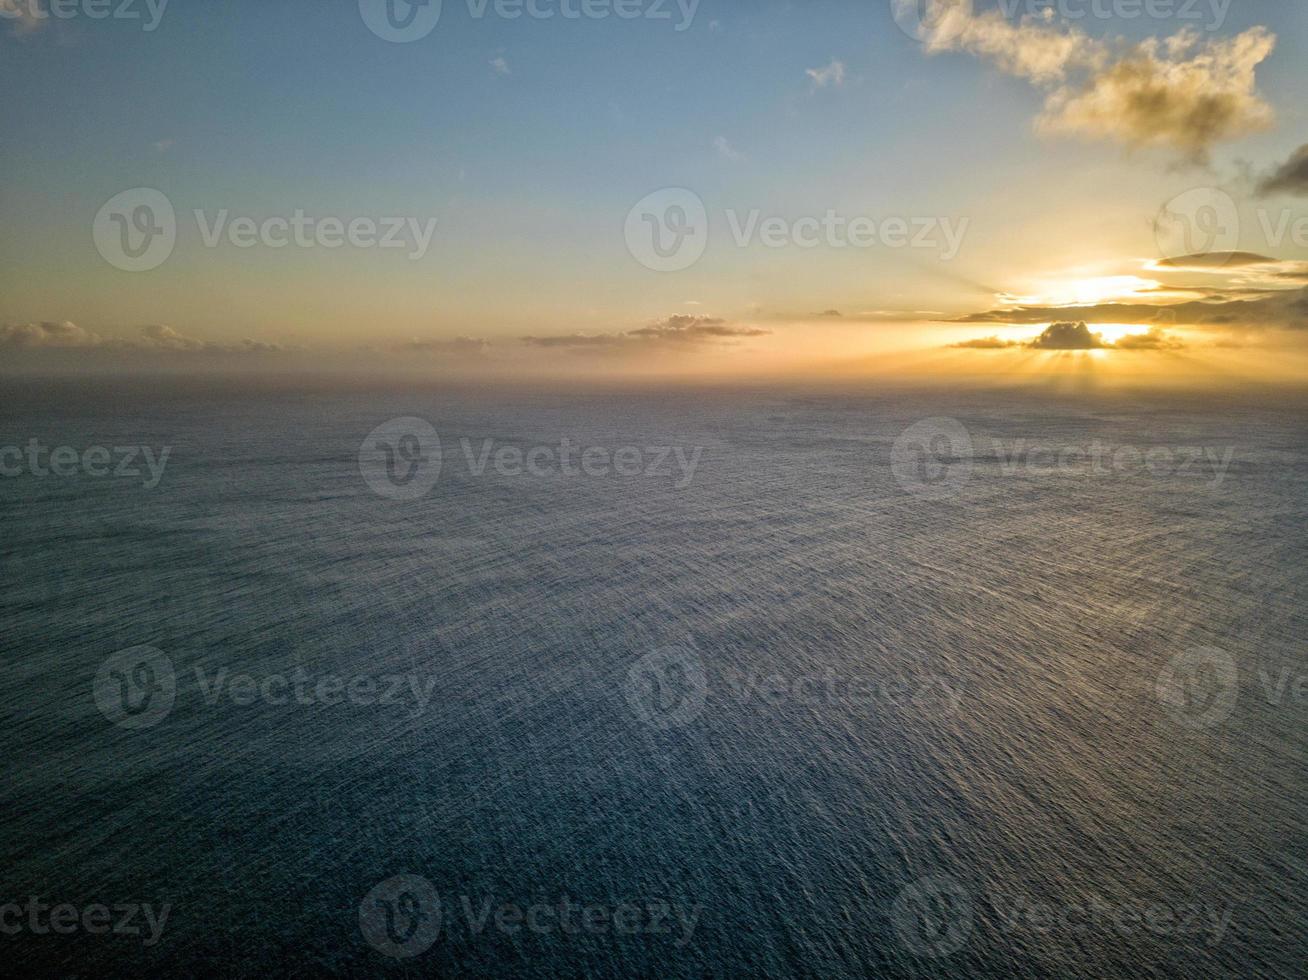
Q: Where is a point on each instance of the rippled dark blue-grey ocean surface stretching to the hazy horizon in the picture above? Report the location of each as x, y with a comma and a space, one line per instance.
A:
842, 702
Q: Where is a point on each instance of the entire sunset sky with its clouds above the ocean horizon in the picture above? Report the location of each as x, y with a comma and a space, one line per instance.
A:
651, 186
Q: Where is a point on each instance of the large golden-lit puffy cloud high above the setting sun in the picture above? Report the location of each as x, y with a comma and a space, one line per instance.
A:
1183, 94
